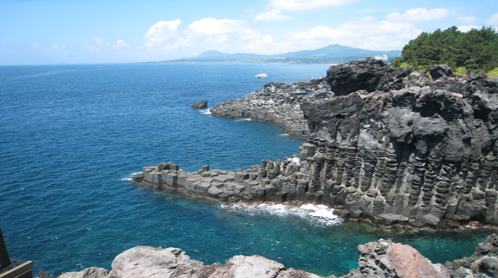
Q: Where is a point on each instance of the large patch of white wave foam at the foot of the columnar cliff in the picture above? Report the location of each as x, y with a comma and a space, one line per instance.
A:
317, 214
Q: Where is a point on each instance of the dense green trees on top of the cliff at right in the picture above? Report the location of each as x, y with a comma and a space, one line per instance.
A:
476, 50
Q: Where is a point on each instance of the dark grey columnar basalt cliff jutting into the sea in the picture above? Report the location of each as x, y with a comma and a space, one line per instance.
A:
389, 144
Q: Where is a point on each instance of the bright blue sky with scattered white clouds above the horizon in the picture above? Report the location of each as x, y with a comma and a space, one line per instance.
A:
121, 31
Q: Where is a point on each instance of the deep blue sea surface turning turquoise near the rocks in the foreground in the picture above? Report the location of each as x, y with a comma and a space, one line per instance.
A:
72, 135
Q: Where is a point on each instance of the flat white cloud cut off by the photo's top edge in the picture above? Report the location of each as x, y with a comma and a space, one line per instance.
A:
299, 5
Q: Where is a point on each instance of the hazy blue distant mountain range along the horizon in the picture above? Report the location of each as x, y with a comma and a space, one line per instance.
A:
331, 54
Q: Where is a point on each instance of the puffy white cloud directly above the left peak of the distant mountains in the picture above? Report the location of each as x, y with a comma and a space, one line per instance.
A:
213, 26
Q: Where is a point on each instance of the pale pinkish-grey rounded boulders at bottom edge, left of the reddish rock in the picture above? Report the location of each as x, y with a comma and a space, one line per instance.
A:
148, 262
